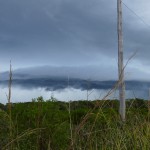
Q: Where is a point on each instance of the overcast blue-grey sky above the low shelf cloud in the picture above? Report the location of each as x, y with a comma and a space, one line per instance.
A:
74, 33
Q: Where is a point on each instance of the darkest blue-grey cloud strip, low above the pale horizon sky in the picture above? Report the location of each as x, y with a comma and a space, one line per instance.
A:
55, 83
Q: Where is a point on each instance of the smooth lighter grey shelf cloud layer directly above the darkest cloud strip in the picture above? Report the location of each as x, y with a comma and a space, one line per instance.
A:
92, 73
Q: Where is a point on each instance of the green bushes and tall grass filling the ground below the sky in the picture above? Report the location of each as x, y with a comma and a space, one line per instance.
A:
82, 125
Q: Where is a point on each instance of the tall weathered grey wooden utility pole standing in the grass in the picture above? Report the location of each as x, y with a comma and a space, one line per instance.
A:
120, 62
